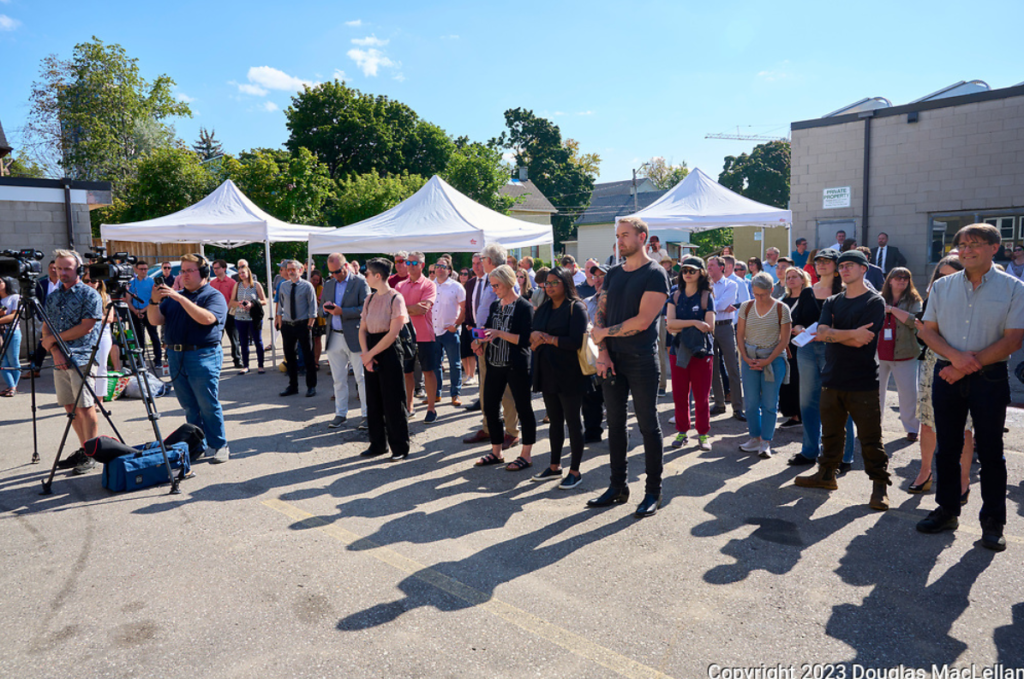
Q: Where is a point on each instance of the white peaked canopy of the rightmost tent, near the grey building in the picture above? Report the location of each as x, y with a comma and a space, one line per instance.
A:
699, 203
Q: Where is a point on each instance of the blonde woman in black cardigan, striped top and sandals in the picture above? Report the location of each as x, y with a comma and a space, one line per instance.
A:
506, 349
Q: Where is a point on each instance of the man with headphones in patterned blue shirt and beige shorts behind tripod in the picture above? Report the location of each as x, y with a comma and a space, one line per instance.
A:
74, 311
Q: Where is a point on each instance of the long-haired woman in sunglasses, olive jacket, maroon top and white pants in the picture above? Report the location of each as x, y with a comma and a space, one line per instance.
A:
899, 348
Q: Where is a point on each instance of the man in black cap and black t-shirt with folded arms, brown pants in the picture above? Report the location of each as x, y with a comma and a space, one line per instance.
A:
850, 324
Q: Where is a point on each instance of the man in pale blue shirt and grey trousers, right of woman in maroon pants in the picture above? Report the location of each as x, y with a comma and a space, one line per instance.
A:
727, 292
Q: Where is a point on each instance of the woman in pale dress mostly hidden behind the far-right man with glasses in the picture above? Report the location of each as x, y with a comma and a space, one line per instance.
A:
926, 415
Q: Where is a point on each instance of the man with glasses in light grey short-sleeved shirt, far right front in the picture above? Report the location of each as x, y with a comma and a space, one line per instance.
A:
974, 321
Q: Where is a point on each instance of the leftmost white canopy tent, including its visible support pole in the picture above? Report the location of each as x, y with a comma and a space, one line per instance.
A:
227, 218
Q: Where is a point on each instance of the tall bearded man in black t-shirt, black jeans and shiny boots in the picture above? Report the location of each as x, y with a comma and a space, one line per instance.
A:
626, 330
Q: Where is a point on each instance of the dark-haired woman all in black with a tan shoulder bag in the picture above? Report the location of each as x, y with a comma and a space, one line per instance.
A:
560, 328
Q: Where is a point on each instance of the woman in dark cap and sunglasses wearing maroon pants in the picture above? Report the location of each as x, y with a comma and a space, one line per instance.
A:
692, 307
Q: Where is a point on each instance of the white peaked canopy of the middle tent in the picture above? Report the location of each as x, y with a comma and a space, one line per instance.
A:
437, 219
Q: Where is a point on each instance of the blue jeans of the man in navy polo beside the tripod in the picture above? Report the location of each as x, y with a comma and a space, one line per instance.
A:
196, 377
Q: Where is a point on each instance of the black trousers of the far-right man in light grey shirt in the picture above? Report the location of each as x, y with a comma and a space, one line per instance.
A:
986, 396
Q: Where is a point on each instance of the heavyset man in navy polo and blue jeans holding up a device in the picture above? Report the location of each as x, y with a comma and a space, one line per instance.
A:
194, 320
